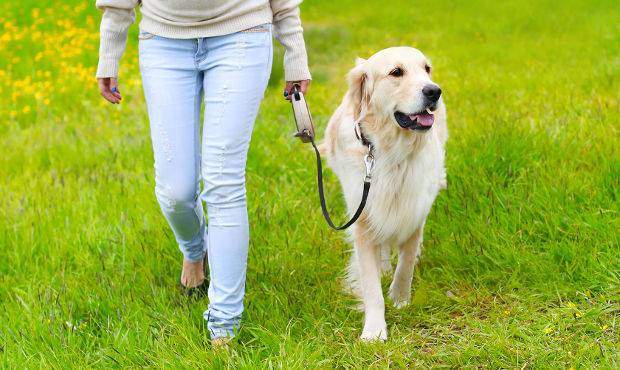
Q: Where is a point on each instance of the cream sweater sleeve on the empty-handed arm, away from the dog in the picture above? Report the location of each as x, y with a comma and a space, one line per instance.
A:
118, 15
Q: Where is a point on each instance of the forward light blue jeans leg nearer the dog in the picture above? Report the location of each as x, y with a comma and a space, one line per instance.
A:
236, 70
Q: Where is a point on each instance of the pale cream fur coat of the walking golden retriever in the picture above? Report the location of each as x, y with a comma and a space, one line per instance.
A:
408, 173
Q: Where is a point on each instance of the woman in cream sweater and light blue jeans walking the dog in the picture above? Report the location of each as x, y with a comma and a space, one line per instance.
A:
219, 51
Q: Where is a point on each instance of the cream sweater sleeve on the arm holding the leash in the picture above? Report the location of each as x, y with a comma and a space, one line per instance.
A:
288, 31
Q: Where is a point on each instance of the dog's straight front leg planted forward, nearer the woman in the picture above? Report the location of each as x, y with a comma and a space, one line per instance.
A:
368, 255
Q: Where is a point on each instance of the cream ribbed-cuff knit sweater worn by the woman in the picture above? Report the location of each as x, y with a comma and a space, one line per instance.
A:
201, 18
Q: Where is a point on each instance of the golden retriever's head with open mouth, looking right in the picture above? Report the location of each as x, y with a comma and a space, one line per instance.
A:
395, 85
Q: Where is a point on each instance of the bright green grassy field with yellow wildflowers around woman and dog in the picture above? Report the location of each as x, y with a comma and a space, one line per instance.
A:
521, 265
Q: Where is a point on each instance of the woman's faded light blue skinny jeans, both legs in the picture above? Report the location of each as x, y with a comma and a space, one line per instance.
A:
230, 73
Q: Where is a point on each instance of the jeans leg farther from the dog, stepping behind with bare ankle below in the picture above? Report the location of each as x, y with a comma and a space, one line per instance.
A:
173, 90
